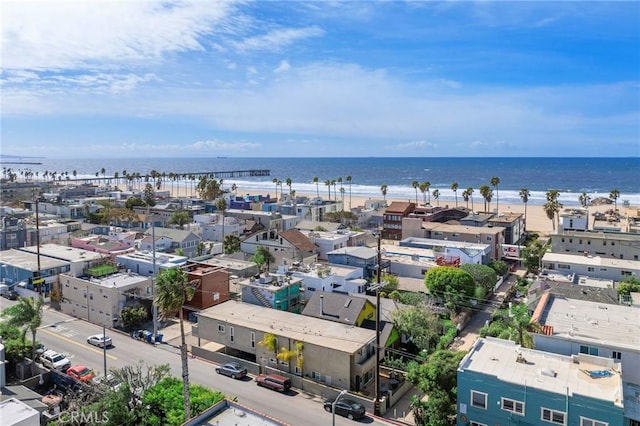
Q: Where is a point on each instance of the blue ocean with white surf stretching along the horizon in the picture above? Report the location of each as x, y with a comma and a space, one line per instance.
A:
571, 176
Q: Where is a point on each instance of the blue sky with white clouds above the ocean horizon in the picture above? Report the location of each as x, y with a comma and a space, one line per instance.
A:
86, 79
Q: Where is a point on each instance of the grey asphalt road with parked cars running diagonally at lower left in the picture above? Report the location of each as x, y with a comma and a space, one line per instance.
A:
69, 335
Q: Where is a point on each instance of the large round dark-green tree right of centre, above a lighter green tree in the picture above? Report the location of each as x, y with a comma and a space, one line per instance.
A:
454, 285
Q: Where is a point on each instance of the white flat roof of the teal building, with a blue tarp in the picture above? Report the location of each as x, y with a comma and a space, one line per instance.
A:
559, 374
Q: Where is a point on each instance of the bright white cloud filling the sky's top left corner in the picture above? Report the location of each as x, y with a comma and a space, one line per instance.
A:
101, 33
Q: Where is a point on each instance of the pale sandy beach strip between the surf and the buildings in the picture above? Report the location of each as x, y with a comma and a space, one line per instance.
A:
536, 219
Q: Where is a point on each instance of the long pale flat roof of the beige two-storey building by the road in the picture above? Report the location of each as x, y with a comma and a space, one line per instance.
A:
340, 337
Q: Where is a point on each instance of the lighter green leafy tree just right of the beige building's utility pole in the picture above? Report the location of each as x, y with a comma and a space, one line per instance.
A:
419, 324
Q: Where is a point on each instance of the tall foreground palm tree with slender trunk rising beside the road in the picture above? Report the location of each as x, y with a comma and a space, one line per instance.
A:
172, 291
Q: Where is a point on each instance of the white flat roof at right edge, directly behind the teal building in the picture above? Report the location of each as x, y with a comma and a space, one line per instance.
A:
616, 325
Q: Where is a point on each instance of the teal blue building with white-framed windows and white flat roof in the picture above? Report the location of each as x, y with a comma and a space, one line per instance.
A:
501, 383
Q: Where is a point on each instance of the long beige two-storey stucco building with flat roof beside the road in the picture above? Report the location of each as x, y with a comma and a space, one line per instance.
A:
336, 354
